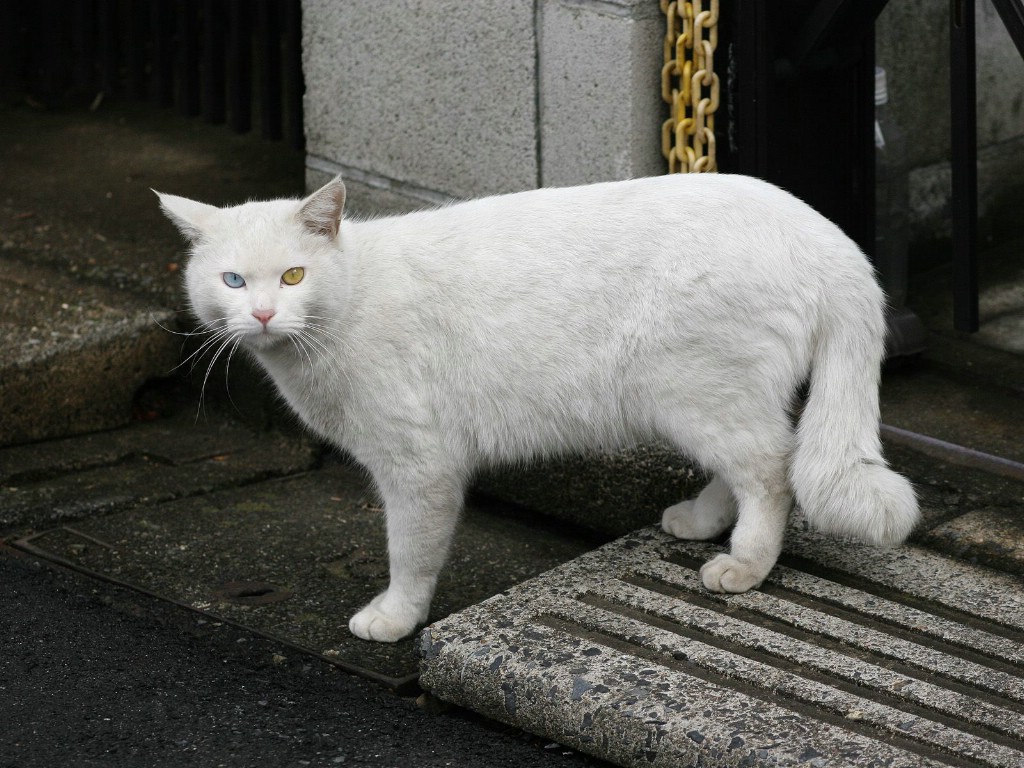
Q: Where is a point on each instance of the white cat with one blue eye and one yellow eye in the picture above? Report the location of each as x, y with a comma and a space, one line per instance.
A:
689, 309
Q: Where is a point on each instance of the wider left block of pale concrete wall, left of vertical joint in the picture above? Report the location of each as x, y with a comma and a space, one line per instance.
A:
441, 95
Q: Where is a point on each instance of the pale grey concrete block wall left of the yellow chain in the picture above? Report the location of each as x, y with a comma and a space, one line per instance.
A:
442, 99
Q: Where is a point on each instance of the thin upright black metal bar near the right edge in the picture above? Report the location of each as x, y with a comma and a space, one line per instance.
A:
965, 166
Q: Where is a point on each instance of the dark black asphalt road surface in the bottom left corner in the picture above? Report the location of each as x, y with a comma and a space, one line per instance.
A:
97, 675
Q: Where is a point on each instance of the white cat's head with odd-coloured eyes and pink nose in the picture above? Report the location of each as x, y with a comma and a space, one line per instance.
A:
263, 273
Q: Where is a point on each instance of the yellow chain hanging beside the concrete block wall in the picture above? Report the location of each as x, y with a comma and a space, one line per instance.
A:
691, 86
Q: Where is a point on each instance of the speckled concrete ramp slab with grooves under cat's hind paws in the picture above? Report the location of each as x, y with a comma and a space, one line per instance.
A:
848, 656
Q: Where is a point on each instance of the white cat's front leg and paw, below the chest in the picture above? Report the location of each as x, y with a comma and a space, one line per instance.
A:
421, 521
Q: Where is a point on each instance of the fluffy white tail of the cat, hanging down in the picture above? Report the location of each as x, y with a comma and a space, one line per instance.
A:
838, 475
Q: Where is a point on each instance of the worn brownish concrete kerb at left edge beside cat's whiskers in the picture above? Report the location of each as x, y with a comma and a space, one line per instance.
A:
75, 354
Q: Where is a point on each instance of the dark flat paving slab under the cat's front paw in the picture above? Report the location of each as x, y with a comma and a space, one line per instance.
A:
294, 559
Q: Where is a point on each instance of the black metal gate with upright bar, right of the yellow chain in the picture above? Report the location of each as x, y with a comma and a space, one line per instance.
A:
801, 112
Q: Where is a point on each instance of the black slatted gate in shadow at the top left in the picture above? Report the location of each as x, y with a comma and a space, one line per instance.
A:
234, 62
